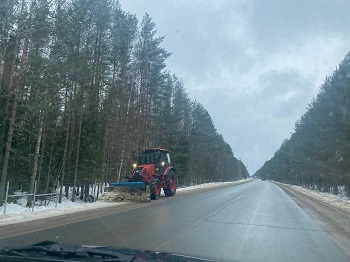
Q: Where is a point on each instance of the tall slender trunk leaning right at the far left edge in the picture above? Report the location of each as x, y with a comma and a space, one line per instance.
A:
14, 109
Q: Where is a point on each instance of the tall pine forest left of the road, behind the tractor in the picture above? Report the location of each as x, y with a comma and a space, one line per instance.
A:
83, 85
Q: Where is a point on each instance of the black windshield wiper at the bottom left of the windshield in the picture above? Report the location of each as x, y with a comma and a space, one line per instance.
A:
51, 251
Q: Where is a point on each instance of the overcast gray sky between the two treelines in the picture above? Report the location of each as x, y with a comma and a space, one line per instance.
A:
255, 65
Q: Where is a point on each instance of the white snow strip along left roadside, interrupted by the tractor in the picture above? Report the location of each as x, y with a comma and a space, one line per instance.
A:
16, 213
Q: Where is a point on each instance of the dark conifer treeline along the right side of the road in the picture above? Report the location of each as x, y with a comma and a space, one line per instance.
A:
317, 154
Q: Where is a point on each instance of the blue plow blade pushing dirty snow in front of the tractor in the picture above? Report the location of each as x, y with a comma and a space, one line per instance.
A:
126, 192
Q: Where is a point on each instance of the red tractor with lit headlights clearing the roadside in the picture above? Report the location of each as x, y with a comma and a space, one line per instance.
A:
153, 171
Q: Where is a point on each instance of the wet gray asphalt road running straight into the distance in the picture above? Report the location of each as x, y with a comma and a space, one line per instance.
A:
255, 221
